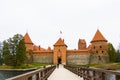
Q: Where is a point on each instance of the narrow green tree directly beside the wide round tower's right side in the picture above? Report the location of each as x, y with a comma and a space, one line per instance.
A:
111, 52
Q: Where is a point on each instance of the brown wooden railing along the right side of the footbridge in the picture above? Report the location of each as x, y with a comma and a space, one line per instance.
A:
94, 73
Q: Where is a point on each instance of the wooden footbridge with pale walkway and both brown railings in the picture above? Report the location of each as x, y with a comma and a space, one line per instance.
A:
68, 73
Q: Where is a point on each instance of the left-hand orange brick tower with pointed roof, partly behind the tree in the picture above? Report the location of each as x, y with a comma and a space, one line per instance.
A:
28, 42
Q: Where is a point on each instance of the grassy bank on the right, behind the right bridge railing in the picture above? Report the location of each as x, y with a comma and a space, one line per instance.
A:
113, 66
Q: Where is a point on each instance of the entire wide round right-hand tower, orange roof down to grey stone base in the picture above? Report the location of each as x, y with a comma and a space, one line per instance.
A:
99, 48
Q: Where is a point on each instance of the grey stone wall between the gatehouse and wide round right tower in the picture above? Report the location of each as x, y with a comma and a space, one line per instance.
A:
77, 58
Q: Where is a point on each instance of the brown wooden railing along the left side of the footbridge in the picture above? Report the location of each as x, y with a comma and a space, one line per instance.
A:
40, 74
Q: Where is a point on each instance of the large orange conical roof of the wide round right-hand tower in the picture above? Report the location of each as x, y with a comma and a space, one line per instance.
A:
98, 37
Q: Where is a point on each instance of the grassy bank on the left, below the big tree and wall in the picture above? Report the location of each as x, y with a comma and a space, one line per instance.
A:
25, 66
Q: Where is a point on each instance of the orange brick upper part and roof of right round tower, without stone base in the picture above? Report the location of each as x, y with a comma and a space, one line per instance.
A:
99, 44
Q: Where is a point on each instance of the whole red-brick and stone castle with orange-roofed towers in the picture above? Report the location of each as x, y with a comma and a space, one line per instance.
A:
95, 53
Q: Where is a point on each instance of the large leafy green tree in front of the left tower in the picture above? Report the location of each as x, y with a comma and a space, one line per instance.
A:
14, 51
